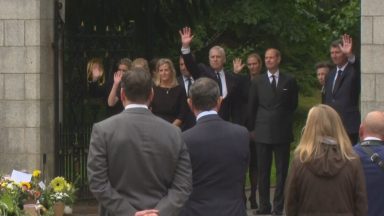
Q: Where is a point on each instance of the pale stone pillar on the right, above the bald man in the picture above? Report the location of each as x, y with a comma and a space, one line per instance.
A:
372, 56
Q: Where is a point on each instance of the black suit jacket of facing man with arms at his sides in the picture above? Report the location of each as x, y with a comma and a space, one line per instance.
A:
271, 114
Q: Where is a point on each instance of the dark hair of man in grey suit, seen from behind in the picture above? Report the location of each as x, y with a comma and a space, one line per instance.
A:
137, 85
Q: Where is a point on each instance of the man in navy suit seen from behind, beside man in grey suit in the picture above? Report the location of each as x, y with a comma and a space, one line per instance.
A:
219, 154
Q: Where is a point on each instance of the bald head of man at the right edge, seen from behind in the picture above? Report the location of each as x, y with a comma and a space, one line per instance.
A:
373, 125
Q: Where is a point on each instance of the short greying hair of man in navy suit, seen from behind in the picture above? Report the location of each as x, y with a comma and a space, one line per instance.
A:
204, 93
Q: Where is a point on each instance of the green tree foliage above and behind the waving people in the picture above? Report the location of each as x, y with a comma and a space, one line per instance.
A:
301, 29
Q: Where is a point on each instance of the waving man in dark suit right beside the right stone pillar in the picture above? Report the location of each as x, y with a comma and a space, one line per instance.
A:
342, 86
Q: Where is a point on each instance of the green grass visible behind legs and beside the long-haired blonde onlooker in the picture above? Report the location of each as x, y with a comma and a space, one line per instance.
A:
305, 103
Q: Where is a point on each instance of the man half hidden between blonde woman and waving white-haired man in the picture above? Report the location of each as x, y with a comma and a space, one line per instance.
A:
186, 80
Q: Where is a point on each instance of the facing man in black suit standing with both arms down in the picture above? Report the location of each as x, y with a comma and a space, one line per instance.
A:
273, 98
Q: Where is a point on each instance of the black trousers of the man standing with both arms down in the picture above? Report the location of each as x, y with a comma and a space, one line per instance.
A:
281, 153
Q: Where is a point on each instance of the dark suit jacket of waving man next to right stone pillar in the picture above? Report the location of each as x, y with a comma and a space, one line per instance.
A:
345, 97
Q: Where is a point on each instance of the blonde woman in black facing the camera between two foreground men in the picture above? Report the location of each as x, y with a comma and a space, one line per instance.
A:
169, 101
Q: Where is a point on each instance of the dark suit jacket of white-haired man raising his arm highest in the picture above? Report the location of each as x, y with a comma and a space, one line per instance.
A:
233, 83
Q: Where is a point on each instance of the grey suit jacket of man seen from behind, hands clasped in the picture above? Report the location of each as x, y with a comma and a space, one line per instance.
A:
138, 161
